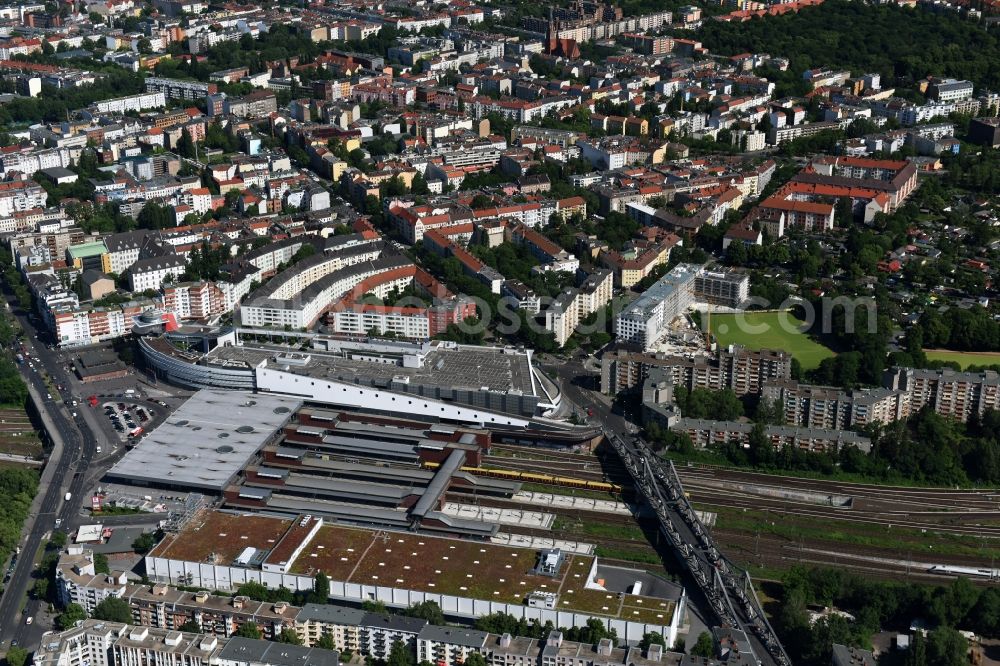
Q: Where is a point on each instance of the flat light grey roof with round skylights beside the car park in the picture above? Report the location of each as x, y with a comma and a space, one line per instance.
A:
207, 441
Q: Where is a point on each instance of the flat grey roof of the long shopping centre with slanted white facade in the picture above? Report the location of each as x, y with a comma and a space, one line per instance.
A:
463, 367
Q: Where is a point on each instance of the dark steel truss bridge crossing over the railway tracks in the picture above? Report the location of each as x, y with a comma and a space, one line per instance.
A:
727, 588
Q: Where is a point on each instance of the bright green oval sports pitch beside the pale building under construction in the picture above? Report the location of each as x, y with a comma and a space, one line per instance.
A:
768, 330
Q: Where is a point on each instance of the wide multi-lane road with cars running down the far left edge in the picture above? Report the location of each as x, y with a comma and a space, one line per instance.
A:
74, 446
